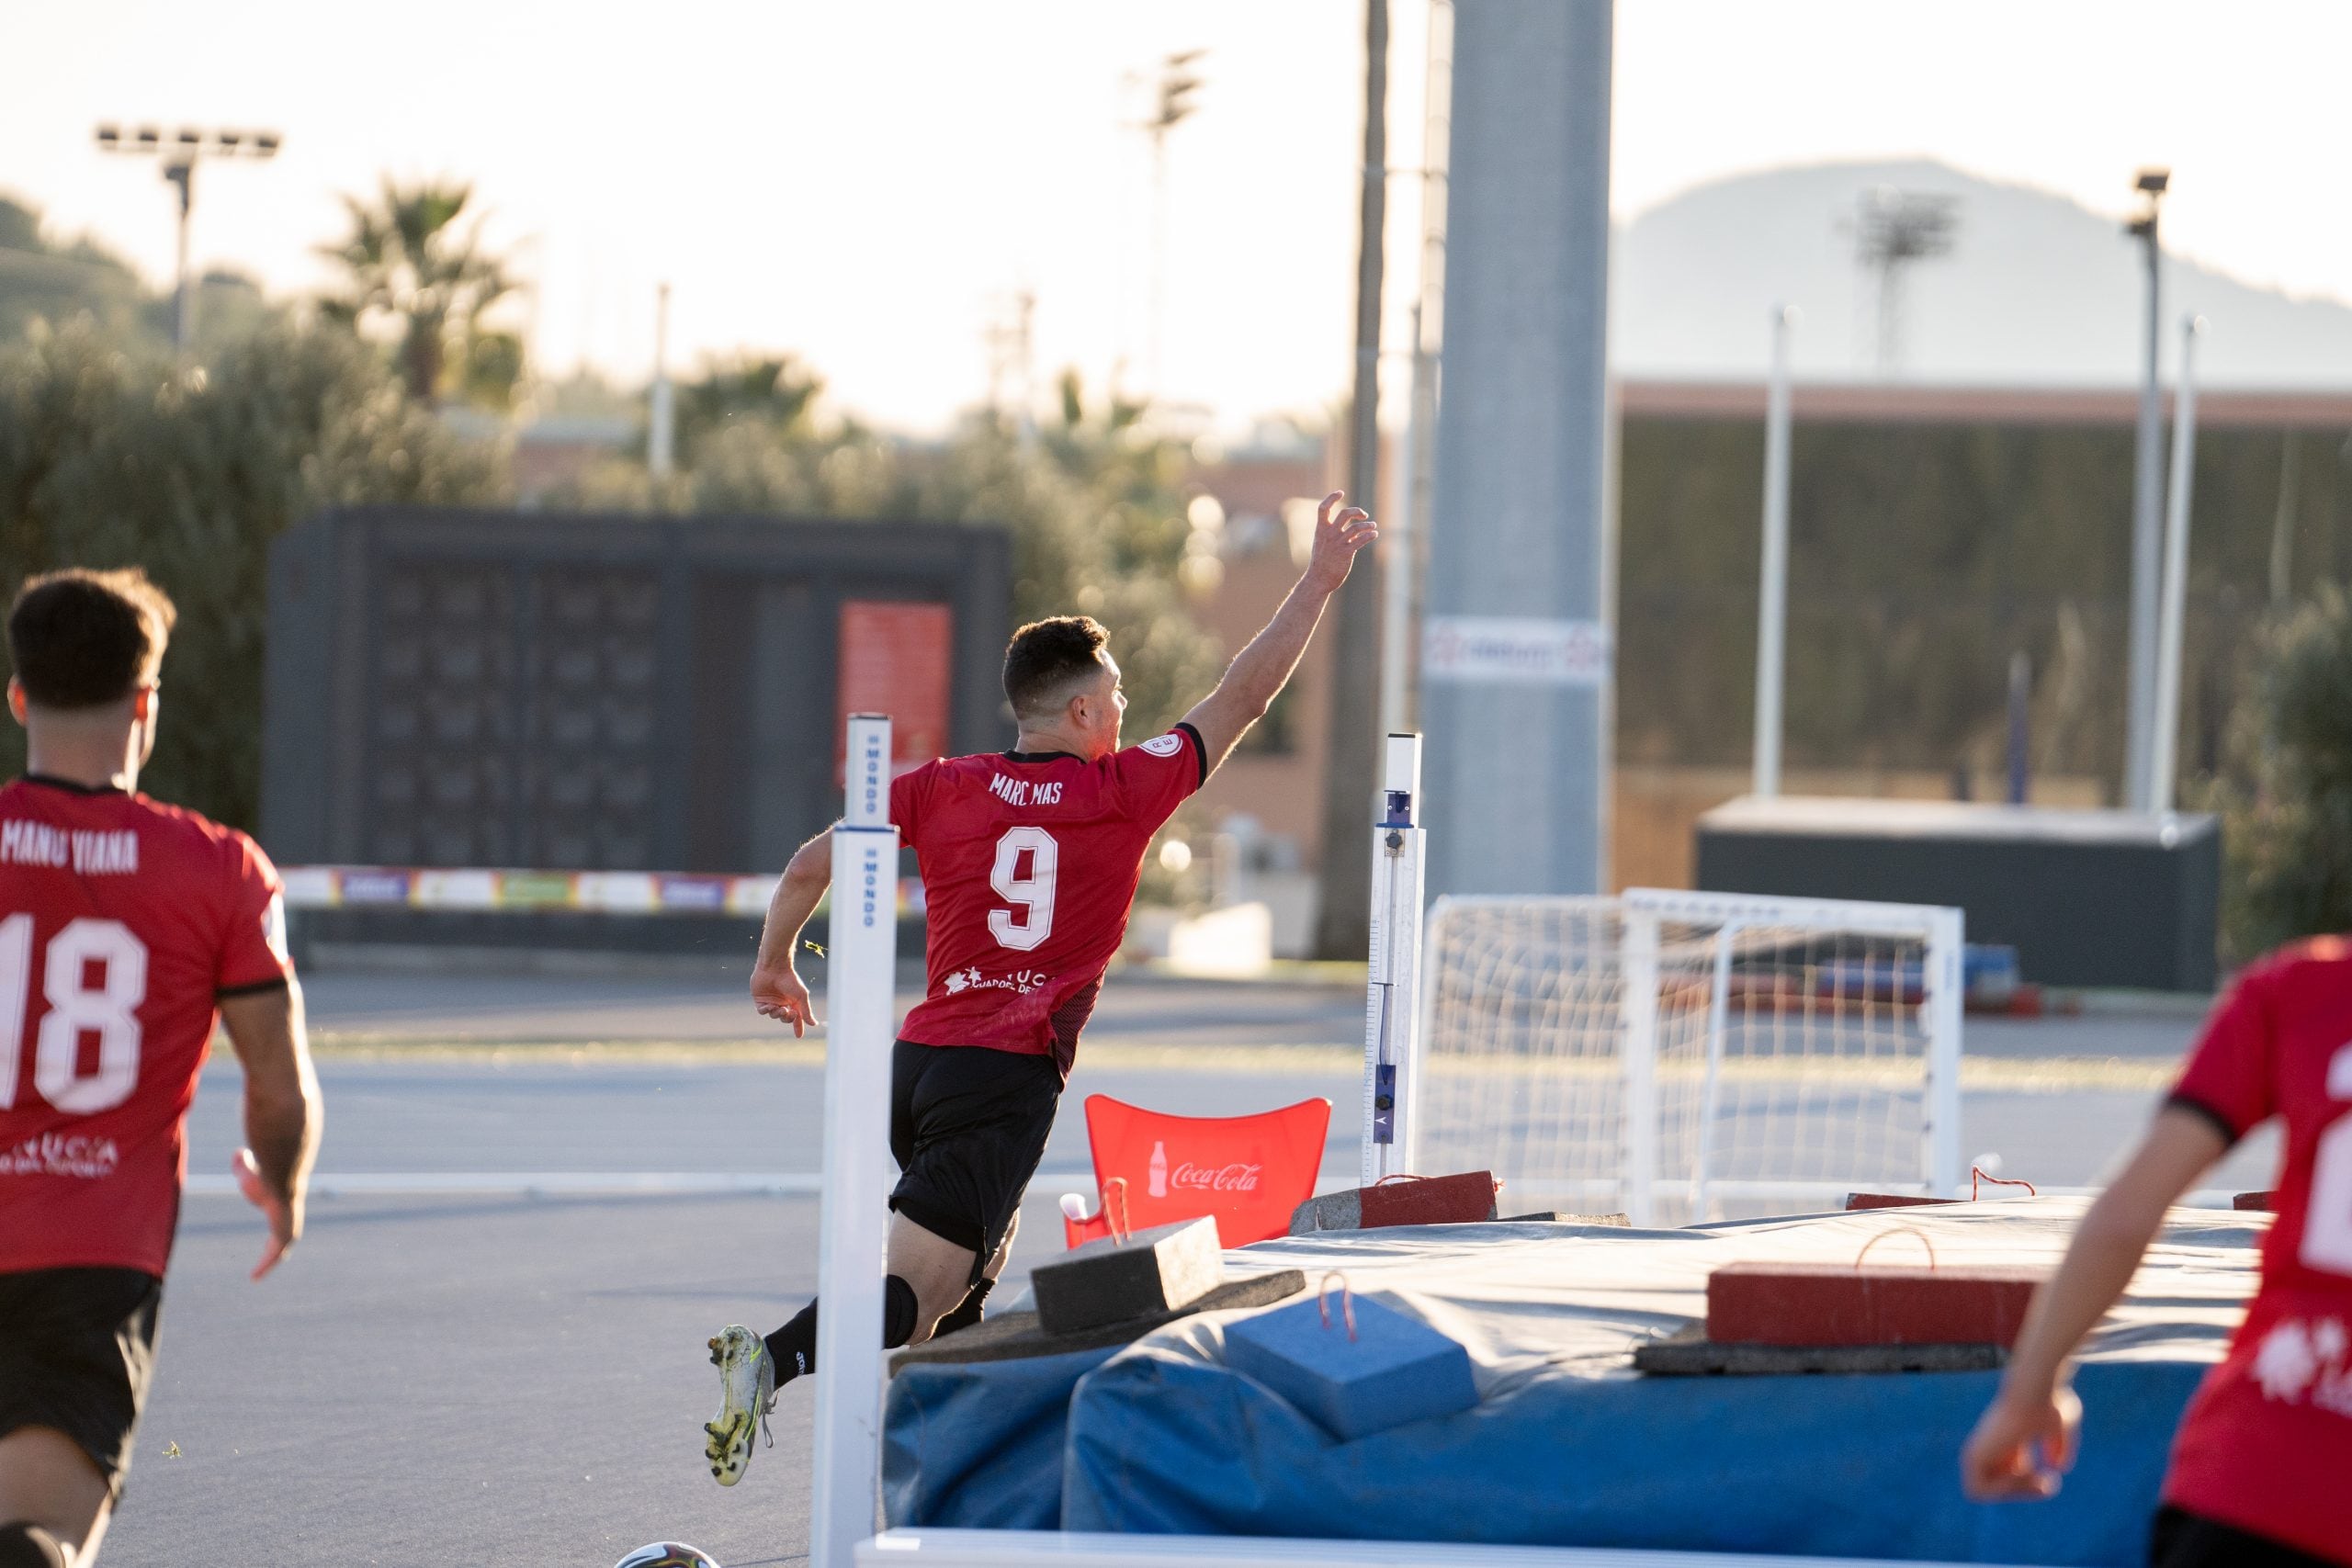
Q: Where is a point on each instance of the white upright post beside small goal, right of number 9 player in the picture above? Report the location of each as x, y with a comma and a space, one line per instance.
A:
1394, 984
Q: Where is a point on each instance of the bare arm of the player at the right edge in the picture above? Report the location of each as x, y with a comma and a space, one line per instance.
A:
2026, 1438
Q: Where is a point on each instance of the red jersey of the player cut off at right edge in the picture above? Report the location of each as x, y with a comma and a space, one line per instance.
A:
2269, 1442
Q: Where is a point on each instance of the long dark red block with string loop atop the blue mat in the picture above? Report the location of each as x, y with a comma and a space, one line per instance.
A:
1836, 1304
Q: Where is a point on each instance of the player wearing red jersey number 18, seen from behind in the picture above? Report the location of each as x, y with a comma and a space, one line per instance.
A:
126, 930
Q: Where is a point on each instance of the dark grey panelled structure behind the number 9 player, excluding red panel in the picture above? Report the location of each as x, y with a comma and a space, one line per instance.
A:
580, 692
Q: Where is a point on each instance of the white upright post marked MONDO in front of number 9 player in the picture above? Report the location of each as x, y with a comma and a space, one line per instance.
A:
860, 963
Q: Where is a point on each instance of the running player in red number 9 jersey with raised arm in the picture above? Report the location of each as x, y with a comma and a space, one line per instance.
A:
1029, 862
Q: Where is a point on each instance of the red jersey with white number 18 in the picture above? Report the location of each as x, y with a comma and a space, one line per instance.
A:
123, 923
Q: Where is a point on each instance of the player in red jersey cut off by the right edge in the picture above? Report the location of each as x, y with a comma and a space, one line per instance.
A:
2266, 1449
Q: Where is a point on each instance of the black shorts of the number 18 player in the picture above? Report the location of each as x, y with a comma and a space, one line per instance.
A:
76, 1353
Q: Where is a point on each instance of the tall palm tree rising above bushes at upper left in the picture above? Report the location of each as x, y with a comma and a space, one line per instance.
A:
415, 267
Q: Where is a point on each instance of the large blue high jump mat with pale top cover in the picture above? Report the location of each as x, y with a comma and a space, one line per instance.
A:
1568, 1445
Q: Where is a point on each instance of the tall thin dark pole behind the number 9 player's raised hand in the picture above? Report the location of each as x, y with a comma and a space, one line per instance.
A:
1344, 918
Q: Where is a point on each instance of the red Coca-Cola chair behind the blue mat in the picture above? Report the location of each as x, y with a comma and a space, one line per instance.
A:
1154, 1170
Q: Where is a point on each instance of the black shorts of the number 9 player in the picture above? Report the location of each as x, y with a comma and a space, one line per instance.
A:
968, 1130
